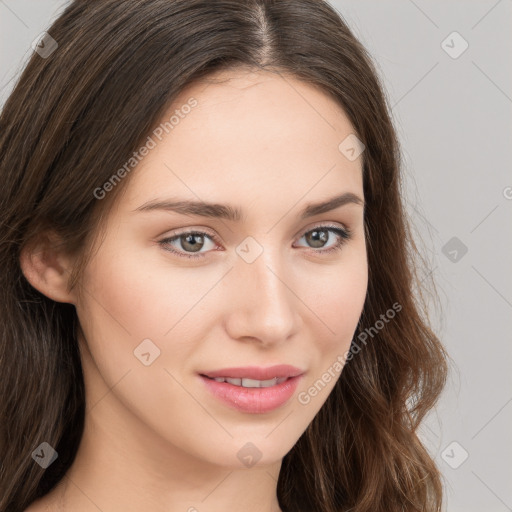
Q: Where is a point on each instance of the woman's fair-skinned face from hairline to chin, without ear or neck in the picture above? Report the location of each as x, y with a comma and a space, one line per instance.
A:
174, 293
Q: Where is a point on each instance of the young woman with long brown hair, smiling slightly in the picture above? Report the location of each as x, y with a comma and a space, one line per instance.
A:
208, 280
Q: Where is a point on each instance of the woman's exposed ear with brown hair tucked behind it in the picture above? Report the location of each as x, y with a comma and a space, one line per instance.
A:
47, 268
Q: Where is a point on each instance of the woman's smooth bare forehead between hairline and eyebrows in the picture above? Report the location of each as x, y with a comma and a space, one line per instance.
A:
256, 135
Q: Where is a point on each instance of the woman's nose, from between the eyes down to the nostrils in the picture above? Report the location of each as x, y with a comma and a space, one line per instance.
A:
263, 306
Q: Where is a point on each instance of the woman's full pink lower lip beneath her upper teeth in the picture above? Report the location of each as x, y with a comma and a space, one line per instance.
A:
253, 400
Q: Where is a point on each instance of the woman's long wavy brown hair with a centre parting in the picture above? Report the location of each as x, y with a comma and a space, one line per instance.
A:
77, 115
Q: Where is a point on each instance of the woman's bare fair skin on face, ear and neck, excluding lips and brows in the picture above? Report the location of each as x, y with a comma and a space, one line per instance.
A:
155, 439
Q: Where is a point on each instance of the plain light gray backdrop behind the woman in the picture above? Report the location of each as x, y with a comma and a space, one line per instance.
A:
453, 116
